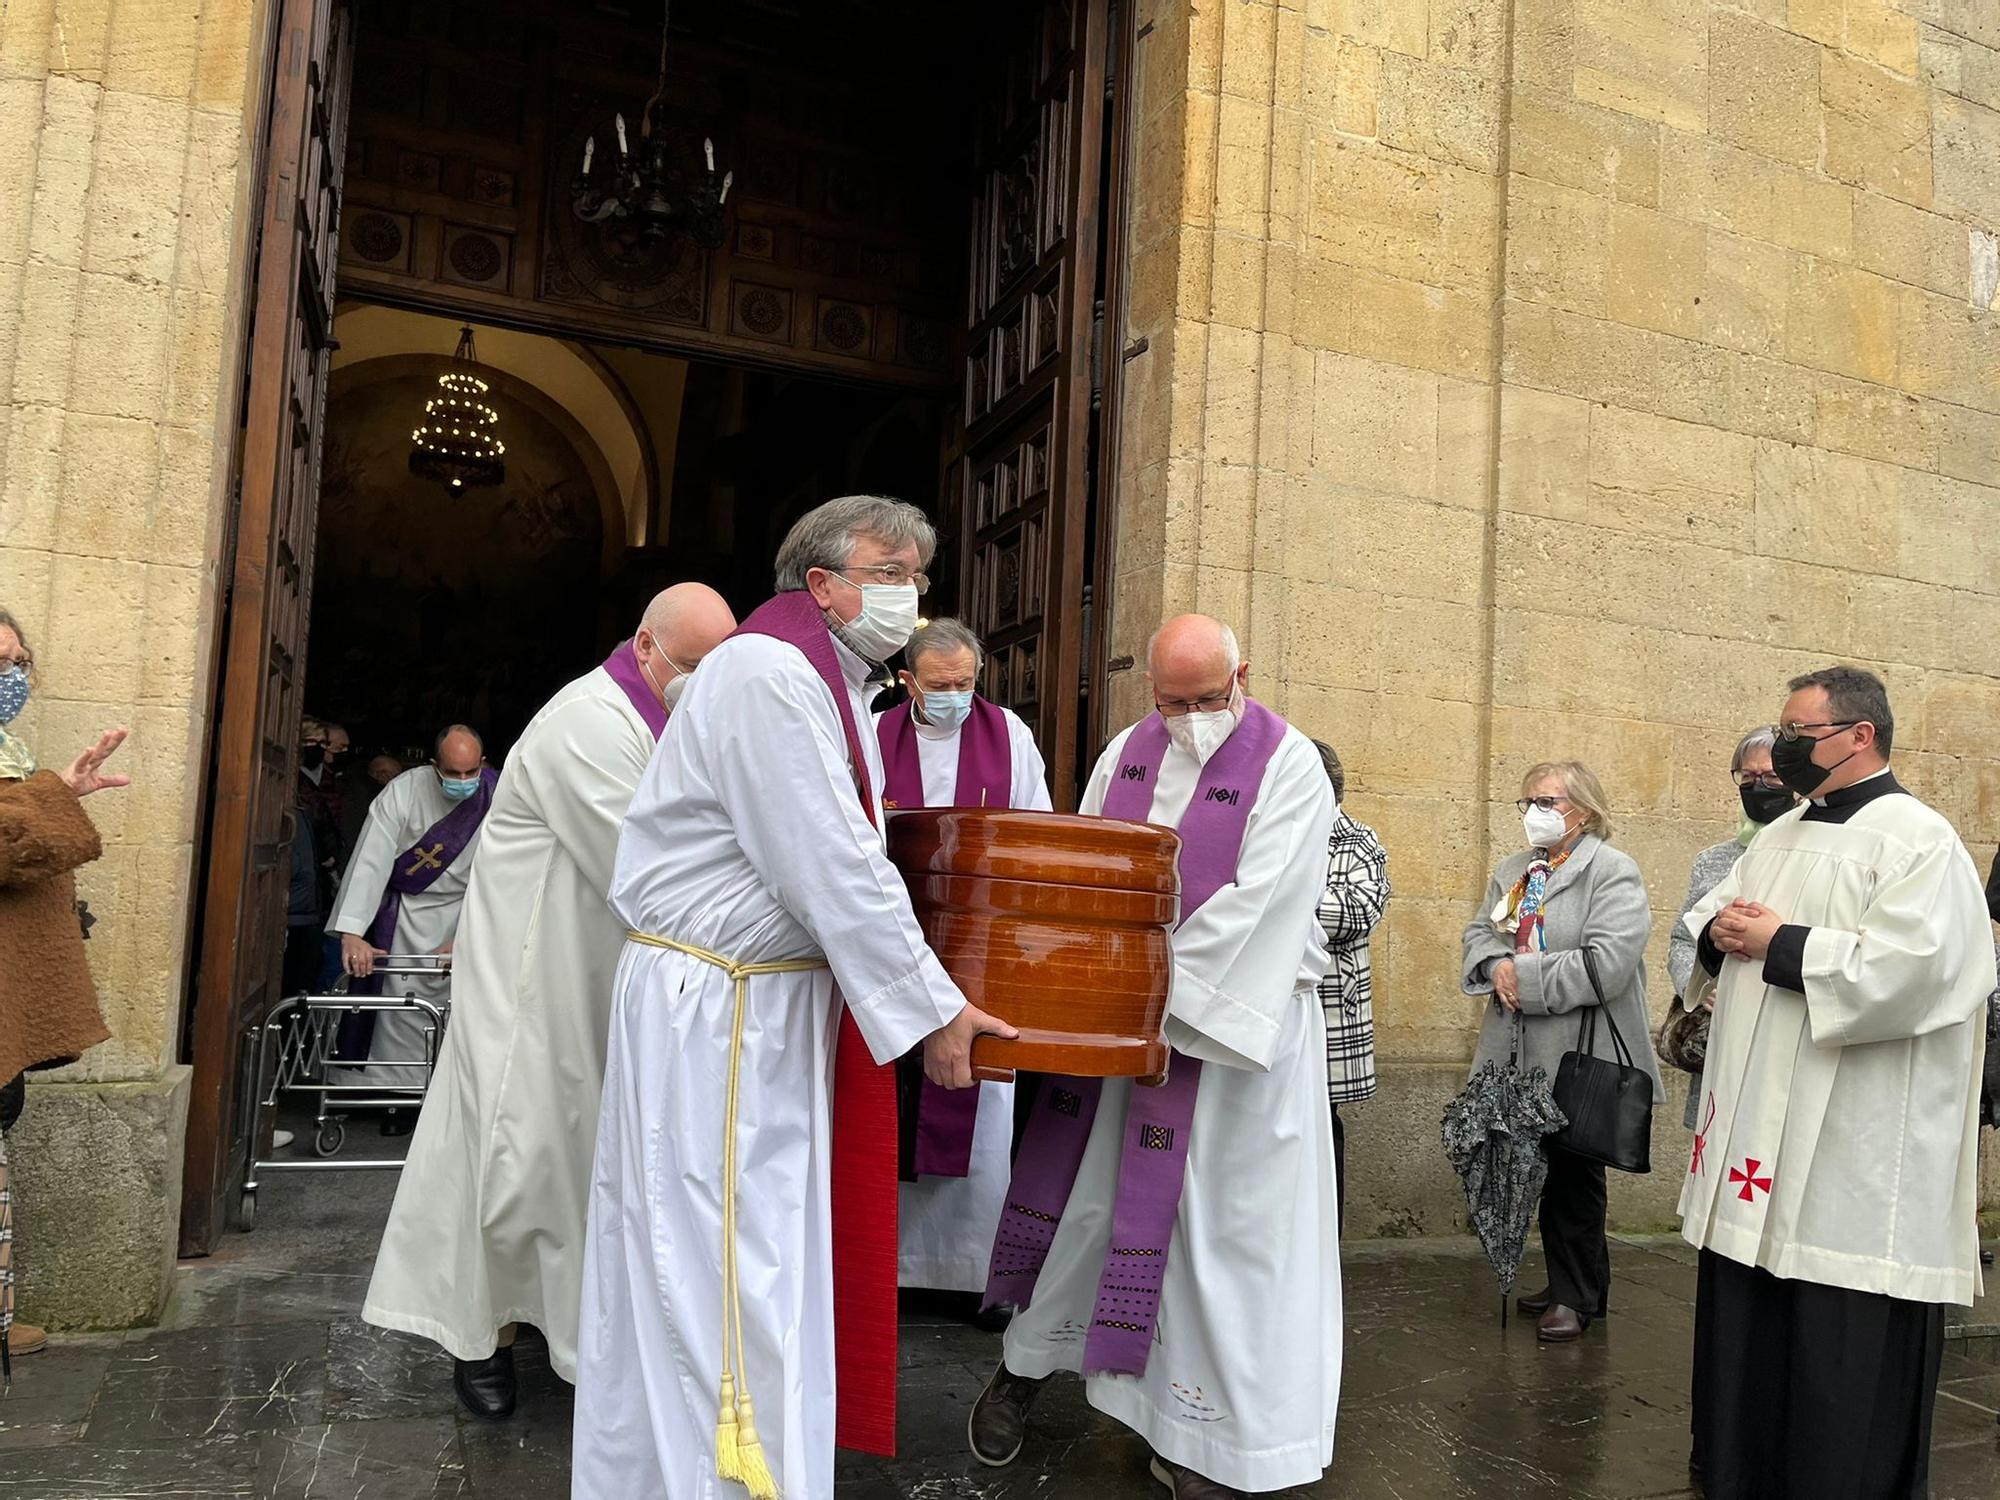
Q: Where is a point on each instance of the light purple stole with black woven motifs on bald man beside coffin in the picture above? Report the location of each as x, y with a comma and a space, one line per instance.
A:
1155, 1157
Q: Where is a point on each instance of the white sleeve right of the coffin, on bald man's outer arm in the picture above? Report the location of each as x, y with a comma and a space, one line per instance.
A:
1237, 959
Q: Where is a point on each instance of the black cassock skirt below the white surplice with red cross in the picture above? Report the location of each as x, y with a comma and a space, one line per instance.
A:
1807, 1391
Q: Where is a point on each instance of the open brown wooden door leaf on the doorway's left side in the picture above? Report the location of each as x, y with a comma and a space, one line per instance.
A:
267, 593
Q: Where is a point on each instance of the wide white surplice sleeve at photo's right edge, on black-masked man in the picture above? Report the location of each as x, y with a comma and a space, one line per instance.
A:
1897, 975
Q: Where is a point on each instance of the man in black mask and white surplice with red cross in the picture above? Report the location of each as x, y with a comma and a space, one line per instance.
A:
1835, 1173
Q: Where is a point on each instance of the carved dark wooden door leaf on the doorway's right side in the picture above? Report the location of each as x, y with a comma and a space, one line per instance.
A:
1023, 483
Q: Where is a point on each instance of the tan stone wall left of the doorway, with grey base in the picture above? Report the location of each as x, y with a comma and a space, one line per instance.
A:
123, 203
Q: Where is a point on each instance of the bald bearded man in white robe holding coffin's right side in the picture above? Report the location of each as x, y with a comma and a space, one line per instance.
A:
1227, 1363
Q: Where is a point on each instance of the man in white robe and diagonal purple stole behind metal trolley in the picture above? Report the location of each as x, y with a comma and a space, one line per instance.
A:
427, 921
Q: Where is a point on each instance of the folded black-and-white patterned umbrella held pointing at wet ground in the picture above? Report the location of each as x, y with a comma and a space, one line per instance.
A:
1493, 1139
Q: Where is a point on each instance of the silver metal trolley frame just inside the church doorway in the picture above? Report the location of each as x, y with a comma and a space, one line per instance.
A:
295, 1055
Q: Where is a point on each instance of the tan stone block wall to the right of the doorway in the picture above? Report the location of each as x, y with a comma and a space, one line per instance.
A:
1555, 379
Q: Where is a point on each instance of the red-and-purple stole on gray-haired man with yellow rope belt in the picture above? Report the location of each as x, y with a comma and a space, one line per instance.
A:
865, 1125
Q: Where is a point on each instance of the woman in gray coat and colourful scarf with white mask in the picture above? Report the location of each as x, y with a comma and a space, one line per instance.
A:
1567, 895
